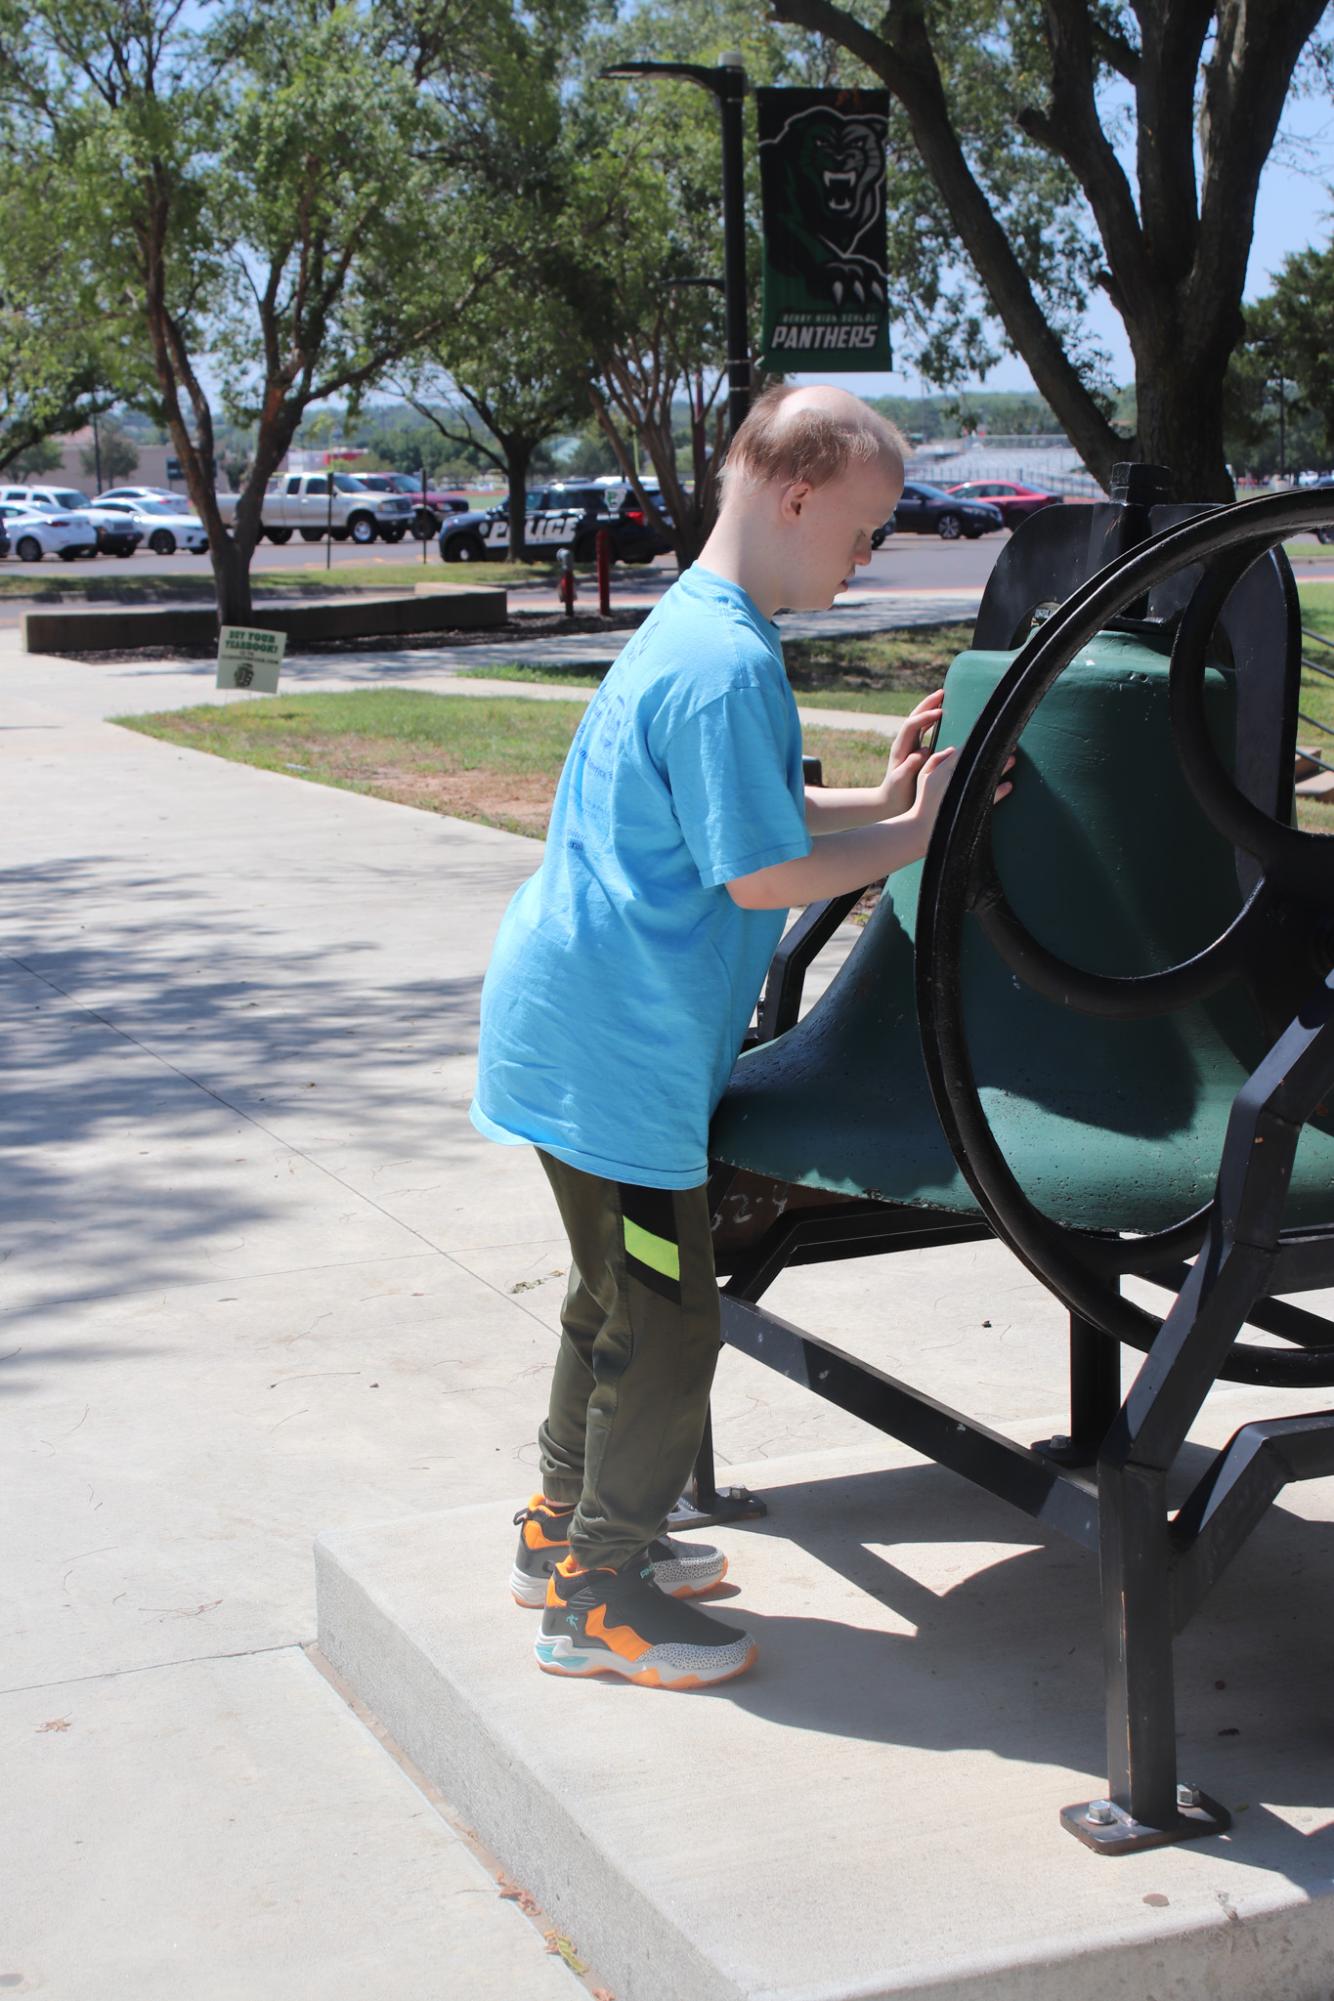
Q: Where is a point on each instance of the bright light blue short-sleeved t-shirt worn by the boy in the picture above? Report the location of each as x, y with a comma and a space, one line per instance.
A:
625, 973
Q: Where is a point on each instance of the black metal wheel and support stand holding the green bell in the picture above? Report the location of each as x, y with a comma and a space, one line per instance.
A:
1157, 1566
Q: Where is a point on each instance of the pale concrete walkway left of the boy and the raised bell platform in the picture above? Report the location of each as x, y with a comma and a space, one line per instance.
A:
259, 1280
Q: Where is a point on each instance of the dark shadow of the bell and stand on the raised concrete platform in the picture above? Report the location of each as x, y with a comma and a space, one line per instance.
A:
1009, 1660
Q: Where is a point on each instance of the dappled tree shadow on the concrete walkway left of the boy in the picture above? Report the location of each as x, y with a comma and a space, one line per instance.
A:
165, 1064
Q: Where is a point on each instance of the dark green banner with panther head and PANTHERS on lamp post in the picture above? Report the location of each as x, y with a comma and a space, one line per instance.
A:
825, 243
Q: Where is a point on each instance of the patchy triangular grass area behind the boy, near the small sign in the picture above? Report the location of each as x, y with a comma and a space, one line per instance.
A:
491, 761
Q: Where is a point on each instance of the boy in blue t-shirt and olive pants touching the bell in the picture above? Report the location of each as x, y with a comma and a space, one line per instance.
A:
619, 995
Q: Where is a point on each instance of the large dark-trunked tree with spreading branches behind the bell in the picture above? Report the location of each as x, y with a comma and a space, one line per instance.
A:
1049, 147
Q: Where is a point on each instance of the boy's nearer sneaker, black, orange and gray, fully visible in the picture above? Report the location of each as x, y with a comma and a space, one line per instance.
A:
621, 1624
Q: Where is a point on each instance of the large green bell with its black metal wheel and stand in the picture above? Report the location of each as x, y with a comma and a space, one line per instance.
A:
1097, 1024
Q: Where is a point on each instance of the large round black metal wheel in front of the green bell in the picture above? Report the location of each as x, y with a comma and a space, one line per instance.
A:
959, 879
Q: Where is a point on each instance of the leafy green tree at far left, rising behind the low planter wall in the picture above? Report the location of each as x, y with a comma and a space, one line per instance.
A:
253, 189
